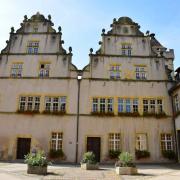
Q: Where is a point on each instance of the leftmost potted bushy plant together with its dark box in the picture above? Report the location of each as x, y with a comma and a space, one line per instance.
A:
37, 163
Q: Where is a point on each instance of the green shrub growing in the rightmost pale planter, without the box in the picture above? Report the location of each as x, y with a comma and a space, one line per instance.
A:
125, 160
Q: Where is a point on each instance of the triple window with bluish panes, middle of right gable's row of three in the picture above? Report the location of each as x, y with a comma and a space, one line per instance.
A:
128, 105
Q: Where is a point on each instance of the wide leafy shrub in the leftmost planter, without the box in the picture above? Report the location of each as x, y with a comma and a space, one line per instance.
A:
36, 159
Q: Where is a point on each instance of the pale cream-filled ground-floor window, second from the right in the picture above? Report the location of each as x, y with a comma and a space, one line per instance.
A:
141, 142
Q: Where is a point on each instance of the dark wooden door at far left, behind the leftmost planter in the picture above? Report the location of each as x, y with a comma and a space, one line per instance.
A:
23, 147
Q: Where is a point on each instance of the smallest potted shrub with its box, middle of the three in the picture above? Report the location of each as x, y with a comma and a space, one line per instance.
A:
89, 162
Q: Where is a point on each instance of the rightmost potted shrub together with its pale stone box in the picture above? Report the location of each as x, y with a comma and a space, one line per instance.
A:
125, 165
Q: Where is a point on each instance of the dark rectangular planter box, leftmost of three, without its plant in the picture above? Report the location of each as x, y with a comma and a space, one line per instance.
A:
41, 170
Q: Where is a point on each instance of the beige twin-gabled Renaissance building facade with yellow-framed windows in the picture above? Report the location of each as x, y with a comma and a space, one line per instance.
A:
123, 100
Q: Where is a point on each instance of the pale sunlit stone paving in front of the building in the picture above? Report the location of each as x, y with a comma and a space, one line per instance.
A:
17, 171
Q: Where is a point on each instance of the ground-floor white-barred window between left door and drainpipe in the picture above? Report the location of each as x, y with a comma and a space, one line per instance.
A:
56, 140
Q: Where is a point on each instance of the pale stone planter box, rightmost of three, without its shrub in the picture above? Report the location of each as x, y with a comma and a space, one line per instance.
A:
126, 170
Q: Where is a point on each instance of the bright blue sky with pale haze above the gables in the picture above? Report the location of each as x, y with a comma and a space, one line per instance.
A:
83, 20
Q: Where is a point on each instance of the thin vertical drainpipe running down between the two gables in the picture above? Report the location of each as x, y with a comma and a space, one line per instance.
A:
79, 77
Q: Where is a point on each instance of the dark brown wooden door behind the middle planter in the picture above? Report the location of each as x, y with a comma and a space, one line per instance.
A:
94, 145
